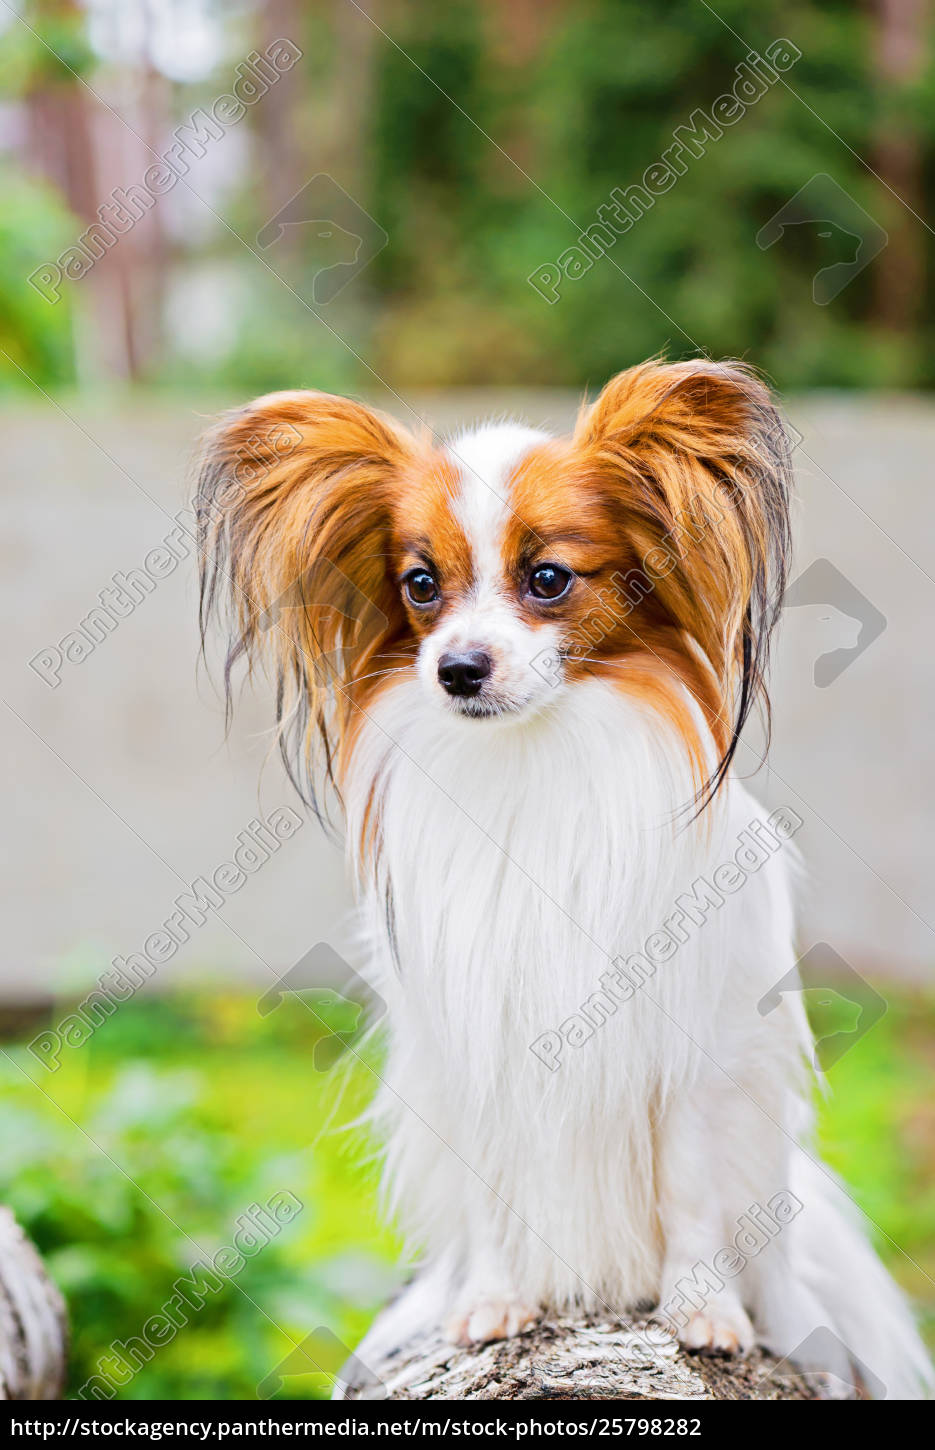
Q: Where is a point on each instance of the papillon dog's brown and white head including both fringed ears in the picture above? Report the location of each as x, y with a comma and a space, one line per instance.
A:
504, 568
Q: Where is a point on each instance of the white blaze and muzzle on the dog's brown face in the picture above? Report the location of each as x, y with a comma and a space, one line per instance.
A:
491, 618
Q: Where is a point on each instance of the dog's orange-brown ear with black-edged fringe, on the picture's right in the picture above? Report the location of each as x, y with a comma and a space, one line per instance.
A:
701, 460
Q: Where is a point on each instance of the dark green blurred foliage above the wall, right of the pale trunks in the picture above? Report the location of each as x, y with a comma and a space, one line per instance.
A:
597, 104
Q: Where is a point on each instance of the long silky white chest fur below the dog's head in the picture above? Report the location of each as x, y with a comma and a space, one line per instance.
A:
521, 863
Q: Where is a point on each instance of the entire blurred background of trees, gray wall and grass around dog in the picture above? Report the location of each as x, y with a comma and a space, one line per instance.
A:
444, 211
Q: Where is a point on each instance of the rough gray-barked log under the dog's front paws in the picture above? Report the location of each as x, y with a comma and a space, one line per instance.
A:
576, 1359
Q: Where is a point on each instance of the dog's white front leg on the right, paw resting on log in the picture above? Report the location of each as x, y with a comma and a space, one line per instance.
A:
702, 1309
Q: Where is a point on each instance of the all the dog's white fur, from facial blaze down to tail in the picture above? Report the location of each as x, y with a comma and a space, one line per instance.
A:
518, 858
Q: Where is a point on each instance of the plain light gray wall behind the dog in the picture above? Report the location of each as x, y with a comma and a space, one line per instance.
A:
121, 788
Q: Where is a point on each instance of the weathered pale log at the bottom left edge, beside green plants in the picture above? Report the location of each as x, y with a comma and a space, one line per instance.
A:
34, 1332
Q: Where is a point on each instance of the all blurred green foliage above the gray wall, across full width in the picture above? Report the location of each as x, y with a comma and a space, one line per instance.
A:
485, 141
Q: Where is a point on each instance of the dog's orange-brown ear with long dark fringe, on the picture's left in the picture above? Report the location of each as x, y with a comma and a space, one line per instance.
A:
294, 513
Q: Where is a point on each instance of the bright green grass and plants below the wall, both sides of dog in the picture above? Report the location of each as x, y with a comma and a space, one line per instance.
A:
141, 1152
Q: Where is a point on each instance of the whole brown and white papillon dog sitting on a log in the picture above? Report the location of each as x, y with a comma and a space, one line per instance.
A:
520, 666
